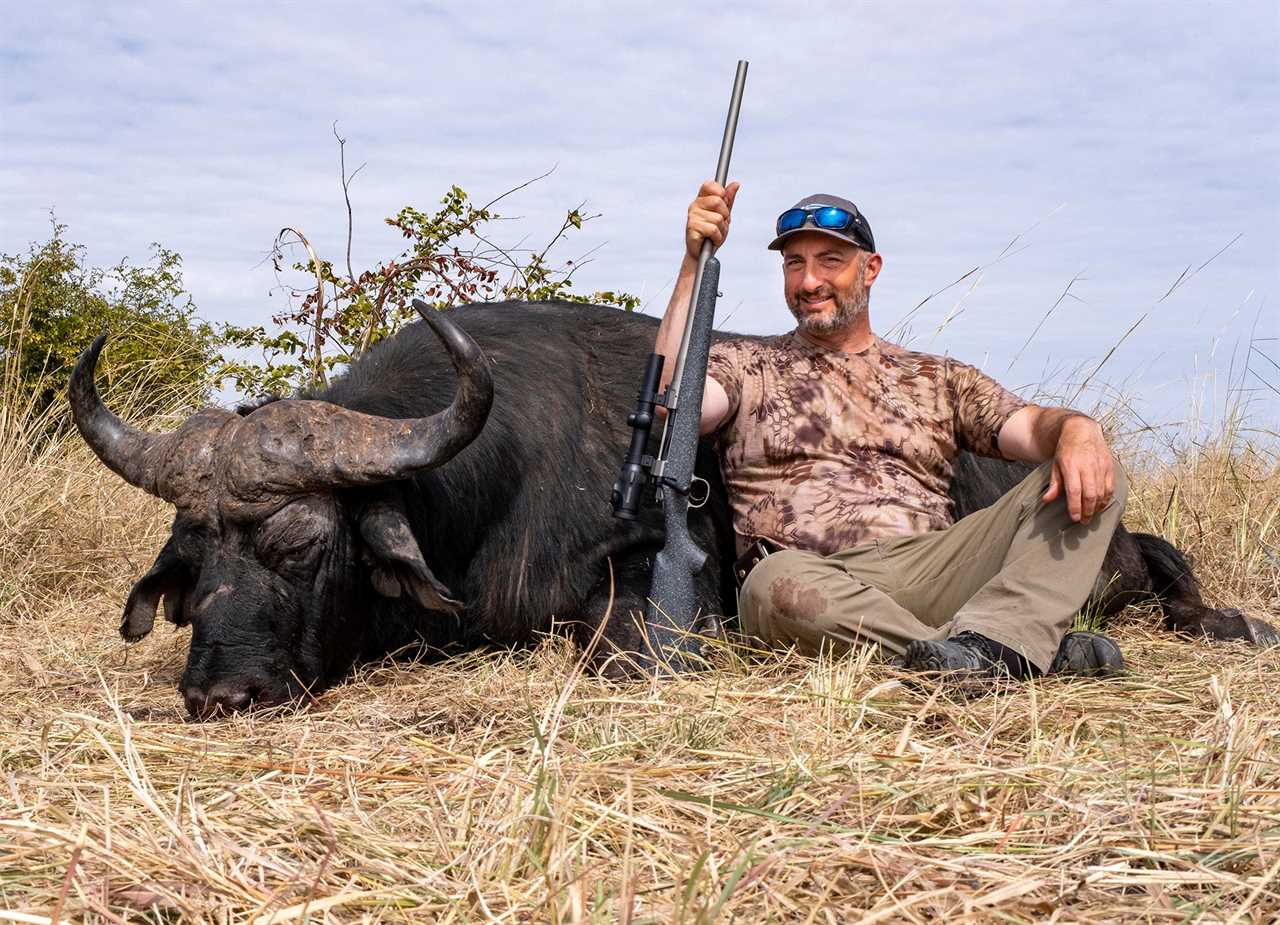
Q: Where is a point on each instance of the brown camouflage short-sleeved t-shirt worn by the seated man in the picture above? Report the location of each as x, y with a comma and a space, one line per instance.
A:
825, 451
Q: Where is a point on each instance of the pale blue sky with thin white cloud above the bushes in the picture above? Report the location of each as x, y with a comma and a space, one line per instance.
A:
1119, 145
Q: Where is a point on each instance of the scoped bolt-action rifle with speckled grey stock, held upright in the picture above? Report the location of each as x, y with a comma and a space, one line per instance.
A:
669, 478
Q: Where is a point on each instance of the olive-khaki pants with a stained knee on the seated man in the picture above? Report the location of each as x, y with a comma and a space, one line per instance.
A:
1016, 573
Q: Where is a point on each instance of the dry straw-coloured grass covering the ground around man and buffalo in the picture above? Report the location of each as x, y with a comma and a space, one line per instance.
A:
509, 787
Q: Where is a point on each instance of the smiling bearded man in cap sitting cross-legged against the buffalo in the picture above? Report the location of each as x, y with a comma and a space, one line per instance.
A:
838, 447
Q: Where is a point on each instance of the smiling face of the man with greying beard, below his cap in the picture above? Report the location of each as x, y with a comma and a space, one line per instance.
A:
826, 281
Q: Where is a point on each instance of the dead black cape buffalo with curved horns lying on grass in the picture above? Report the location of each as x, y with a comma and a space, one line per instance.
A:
450, 500
